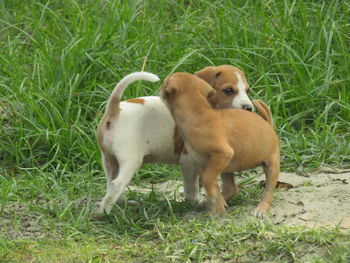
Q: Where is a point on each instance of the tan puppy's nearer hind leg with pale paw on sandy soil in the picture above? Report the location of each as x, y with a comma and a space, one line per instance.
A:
271, 169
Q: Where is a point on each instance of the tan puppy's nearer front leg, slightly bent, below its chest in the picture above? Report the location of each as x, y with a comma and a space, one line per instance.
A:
215, 166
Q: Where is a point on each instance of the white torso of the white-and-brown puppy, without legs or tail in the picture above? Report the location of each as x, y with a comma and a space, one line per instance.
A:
145, 128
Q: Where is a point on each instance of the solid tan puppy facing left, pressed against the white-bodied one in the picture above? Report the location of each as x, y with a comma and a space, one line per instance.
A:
227, 140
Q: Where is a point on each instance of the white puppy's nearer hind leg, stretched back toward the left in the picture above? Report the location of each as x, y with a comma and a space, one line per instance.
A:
127, 169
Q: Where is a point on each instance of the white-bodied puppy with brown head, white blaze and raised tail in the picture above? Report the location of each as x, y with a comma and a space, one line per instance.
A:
142, 130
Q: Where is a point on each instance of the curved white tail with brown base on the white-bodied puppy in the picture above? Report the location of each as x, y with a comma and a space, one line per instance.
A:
114, 99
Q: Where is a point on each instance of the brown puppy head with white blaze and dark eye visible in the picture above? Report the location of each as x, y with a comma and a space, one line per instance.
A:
231, 87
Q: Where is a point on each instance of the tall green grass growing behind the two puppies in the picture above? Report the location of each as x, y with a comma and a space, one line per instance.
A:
61, 59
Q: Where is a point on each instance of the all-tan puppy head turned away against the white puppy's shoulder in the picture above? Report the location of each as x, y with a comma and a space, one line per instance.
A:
182, 82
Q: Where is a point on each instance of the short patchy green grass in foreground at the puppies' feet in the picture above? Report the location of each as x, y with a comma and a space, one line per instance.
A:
53, 223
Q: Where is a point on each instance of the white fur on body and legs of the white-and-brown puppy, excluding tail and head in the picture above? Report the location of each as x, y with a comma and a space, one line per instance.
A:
143, 133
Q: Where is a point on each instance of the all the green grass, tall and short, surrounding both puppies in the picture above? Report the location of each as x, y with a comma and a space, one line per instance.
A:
59, 61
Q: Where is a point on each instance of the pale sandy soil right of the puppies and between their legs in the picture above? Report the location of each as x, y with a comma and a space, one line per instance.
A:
320, 199
